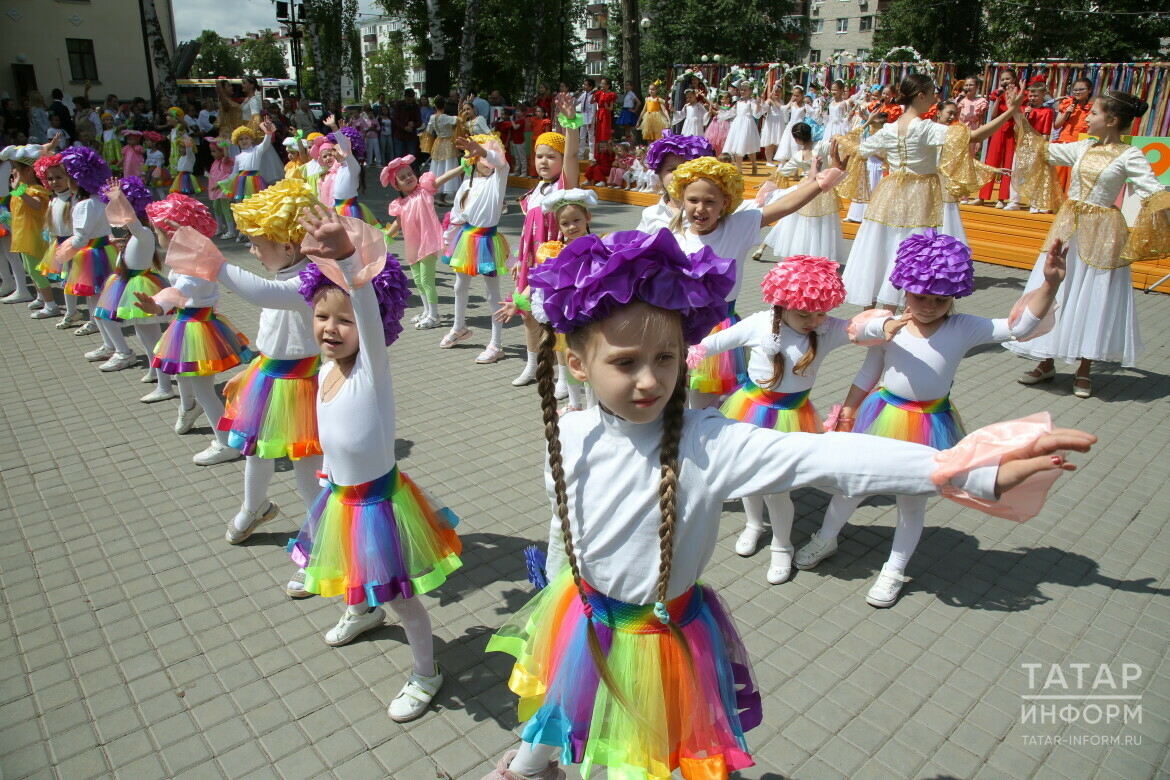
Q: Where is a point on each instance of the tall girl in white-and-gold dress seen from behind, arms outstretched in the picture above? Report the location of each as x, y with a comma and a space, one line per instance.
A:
911, 199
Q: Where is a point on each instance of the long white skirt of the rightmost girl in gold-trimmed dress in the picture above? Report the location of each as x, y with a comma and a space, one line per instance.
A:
1097, 319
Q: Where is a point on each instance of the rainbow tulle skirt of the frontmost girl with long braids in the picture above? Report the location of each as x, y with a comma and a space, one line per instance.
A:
693, 705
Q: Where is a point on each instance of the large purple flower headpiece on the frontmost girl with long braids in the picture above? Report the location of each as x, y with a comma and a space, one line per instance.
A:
593, 278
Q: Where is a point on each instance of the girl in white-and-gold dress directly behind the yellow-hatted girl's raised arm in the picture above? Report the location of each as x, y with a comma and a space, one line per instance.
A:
816, 230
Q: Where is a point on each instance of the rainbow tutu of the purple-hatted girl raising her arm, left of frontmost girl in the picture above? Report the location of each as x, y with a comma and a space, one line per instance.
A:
376, 542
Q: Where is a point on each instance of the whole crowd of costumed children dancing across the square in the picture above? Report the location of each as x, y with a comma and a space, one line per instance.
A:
624, 659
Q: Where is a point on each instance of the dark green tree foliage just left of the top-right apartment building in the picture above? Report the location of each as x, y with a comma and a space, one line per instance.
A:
740, 31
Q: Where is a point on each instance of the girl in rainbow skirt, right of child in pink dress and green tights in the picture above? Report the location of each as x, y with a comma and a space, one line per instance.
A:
474, 247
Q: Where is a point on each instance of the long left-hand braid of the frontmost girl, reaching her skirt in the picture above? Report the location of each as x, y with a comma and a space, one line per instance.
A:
546, 385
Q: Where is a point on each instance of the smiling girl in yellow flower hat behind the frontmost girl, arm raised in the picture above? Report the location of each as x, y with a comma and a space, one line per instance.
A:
711, 194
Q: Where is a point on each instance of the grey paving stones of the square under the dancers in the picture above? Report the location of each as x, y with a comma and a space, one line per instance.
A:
137, 644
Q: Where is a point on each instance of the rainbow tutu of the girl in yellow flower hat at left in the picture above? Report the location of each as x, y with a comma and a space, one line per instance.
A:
271, 409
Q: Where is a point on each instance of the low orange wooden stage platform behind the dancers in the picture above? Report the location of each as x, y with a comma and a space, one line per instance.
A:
997, 237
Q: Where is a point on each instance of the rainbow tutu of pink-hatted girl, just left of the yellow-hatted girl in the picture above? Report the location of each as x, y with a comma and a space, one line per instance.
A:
201, 343
